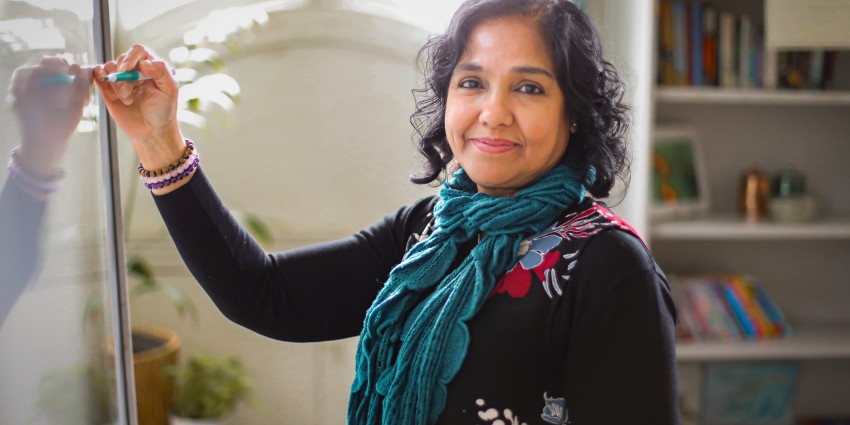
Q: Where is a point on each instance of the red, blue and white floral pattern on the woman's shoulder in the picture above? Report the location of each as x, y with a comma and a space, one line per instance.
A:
538, 255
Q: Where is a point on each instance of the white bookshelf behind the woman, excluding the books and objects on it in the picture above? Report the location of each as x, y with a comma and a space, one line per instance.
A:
804, 266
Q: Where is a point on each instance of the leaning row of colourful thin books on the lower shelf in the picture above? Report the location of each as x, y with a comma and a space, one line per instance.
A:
725, 308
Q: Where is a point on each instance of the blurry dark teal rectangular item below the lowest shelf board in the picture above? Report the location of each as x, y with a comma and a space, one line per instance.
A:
749, 393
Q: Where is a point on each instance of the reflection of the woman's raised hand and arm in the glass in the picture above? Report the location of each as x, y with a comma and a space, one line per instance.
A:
48, 99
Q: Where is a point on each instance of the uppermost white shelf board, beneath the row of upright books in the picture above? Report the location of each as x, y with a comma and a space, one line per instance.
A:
715, 95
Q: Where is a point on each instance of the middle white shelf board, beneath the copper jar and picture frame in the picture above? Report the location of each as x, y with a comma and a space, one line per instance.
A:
736, 228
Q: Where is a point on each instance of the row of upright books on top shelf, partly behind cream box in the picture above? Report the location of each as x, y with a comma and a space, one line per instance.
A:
700, 45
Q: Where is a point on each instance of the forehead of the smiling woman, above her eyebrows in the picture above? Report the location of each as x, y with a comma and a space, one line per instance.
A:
512, 40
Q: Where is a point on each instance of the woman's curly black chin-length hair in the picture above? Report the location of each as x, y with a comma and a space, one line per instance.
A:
593, 91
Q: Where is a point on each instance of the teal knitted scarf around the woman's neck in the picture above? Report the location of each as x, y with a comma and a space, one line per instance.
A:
415, 337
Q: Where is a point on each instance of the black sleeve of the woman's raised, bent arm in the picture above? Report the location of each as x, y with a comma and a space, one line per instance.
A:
315, 293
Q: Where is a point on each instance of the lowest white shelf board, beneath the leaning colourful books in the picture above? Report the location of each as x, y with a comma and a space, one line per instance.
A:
814, 343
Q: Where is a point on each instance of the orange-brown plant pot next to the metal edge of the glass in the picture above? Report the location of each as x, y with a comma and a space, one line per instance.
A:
153, 349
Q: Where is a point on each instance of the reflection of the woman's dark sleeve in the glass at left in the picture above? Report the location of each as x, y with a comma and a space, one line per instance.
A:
21, 217
